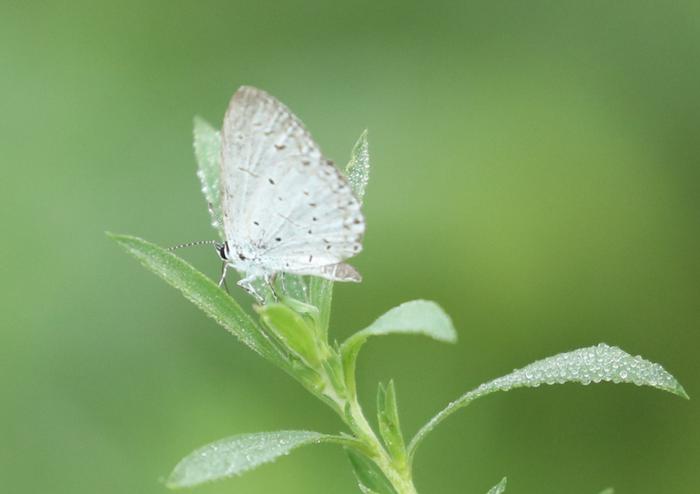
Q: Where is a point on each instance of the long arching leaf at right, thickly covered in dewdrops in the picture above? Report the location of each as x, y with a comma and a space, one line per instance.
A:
600, 363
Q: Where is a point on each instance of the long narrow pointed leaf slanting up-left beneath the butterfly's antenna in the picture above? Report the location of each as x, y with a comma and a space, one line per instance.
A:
203, 292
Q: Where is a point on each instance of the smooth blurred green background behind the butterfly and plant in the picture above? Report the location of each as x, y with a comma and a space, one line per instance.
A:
535, 171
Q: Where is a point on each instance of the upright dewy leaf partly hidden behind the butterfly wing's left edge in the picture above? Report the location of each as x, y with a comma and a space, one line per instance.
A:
207, 151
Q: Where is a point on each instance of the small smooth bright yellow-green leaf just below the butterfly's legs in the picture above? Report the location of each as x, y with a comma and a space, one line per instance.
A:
293, 330
